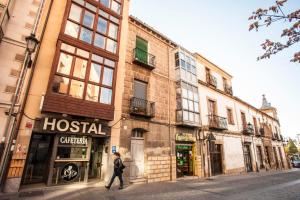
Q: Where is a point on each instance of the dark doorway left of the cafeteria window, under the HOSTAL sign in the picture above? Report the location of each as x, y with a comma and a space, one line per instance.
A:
38, 159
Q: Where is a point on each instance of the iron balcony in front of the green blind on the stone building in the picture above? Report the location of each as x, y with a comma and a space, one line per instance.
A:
144, 58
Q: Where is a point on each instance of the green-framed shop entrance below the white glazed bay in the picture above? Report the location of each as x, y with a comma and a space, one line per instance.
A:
184, 160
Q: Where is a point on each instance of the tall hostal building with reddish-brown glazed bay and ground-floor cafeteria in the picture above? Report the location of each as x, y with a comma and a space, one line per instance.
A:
70, 108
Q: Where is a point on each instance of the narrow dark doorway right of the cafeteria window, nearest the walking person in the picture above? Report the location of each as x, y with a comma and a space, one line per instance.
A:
95, 164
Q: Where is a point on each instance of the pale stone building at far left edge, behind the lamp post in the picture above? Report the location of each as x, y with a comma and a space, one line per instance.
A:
17, 19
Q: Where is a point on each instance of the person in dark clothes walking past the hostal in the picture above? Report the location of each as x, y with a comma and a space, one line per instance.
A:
118, 171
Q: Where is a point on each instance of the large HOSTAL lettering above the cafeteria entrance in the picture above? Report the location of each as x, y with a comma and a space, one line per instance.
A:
63, 125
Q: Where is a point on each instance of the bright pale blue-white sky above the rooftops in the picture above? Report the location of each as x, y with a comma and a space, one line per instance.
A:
219, 31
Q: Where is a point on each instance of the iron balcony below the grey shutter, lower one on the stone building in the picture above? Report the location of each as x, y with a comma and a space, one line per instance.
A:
142, 107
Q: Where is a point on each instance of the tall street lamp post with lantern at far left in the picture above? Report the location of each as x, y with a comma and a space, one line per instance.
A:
31, 44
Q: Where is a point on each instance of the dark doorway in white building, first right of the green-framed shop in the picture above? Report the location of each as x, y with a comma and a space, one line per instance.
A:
216, 159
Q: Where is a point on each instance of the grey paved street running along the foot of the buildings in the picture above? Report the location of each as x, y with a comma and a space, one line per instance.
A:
254, 186
